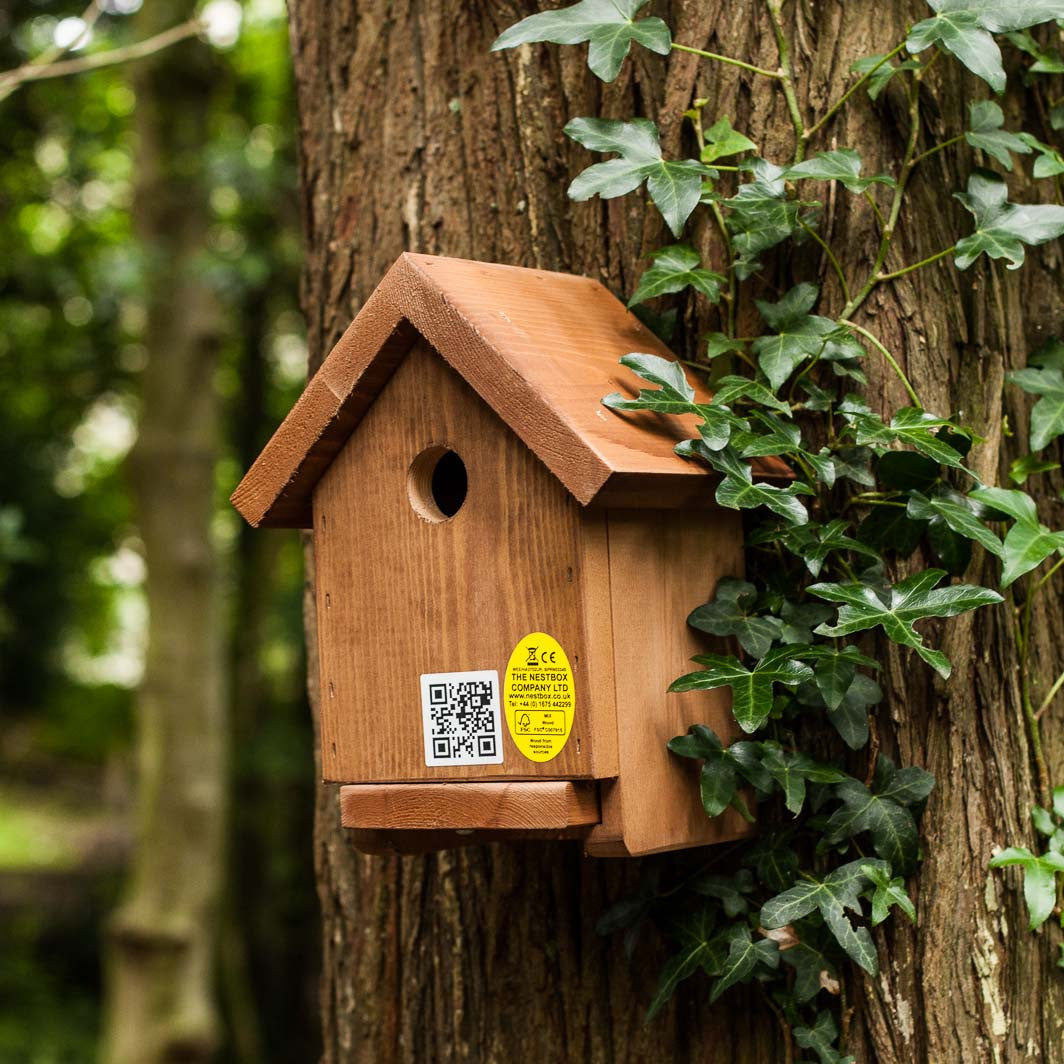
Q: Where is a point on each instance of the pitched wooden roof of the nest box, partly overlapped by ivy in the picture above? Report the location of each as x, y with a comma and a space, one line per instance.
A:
541, 348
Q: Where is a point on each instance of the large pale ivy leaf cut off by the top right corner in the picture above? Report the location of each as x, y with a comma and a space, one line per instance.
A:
965, 28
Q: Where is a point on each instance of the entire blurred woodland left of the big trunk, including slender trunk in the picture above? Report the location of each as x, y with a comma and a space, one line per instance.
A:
149, 341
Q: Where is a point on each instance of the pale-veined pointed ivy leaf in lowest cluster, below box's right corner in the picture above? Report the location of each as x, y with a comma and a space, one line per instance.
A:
833, 896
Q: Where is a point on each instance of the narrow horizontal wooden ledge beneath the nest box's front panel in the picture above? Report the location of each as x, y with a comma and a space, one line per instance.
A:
555, 805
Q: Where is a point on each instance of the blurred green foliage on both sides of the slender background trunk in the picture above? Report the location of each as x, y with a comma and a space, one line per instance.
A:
76, 280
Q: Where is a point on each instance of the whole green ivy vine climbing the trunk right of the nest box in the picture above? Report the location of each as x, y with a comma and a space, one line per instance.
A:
859, 494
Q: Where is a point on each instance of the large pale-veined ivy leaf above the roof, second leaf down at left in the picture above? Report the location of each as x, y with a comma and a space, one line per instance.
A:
675, 186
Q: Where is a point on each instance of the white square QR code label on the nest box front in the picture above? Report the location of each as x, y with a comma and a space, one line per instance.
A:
460, 712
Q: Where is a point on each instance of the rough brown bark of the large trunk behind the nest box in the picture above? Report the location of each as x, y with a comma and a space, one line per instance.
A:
415, 137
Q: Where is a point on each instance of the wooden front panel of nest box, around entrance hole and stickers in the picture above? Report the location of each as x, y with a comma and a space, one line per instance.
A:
400, 596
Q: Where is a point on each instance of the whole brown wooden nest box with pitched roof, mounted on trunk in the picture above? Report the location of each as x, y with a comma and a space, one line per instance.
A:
504, 568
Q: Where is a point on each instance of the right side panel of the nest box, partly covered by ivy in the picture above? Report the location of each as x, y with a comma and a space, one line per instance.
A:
663, 566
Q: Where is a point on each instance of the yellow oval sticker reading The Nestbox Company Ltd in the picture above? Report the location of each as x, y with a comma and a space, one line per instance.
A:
540, 696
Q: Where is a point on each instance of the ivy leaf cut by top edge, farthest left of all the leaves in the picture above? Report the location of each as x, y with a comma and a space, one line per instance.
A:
609, 27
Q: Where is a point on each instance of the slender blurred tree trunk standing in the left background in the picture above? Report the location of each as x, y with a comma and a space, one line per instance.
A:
161, 957
